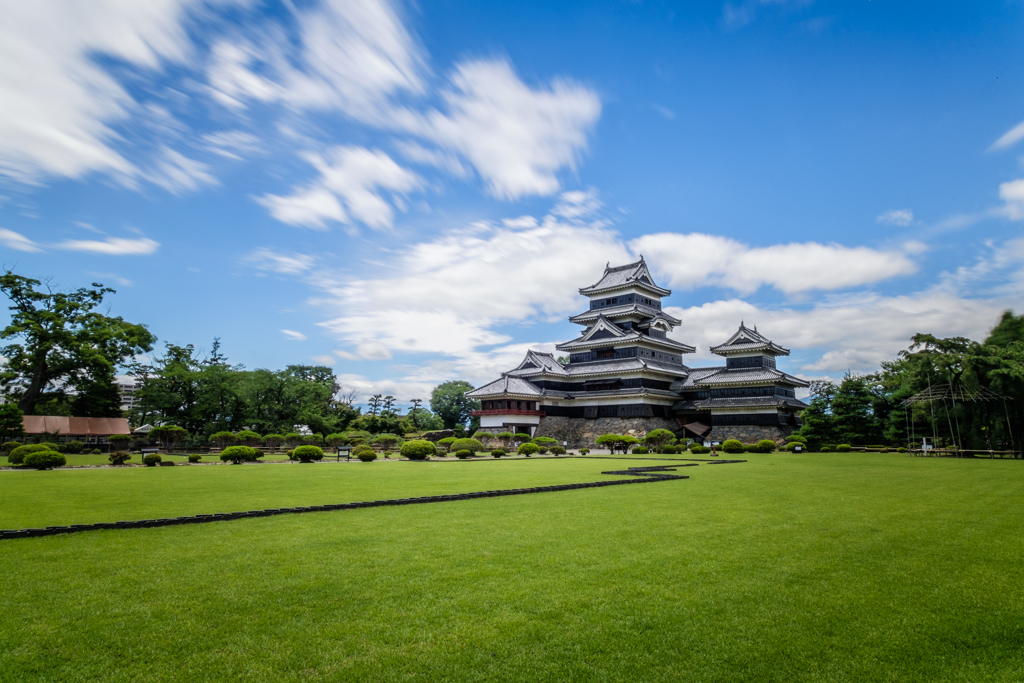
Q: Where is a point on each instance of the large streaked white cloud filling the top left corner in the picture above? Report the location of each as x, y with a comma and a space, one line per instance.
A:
59, 102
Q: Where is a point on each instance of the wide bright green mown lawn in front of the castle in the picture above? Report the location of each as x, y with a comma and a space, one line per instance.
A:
810, 568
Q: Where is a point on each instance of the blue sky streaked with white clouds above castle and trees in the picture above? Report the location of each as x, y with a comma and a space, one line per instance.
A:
414, 193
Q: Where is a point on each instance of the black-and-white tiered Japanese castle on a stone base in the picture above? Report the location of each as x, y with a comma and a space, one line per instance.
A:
626, 375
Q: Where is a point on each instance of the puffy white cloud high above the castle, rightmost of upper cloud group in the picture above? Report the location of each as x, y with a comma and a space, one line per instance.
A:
517, 138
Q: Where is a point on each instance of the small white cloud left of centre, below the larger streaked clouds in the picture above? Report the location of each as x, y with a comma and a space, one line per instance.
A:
350, 177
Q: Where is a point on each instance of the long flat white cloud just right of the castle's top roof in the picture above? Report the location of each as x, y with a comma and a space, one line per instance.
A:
696, 260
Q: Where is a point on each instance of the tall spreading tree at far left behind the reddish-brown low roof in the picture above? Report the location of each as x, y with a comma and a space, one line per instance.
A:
61, 343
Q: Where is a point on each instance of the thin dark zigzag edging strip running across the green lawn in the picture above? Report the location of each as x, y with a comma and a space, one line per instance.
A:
646, 475
